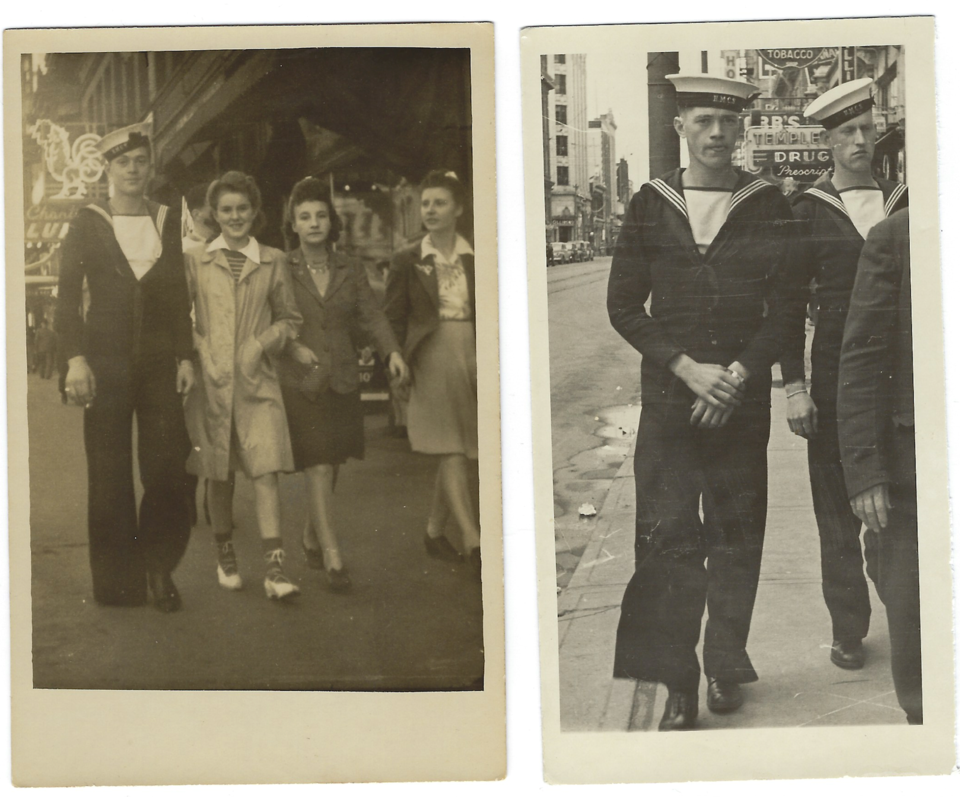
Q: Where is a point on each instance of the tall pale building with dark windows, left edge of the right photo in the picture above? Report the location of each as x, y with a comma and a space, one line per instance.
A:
570, 194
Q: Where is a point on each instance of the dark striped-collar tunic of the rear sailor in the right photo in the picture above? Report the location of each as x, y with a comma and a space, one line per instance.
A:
827, 249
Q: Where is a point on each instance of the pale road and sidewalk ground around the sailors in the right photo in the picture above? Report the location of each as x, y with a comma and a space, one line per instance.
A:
595, 409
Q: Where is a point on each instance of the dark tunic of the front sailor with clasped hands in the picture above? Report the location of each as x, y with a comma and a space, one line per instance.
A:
719, 307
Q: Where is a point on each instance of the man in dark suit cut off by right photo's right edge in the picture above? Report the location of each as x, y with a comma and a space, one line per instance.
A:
875, 410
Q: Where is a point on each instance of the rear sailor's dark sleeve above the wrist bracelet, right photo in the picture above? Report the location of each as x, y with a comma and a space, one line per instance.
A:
798, 272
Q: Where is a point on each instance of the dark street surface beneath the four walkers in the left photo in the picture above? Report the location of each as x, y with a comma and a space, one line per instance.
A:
410, 623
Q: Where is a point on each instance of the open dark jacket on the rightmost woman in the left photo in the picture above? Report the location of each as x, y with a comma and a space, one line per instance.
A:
413, 297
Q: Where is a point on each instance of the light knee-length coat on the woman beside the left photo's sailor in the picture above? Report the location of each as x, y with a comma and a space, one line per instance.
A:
240, 330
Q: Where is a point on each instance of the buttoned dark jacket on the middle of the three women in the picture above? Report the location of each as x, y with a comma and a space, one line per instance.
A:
335, 324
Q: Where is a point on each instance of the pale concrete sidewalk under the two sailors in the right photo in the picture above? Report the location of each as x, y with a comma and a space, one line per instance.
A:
790, 636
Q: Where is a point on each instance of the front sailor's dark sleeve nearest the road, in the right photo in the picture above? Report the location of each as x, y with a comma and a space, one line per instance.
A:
629, 288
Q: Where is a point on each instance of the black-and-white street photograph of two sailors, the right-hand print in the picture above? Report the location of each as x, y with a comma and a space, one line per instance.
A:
726, 264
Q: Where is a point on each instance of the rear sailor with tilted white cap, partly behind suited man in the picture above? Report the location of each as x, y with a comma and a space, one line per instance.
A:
833, 220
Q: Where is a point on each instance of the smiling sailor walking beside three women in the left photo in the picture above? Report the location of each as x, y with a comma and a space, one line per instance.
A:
129, 356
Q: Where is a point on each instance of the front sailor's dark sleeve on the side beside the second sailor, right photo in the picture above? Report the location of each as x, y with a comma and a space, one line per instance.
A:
764, 347
